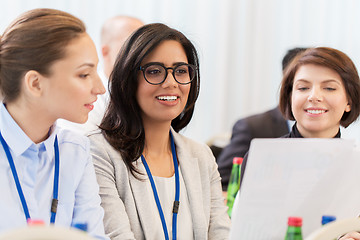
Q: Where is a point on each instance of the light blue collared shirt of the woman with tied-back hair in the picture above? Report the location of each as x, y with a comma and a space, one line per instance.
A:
79, 201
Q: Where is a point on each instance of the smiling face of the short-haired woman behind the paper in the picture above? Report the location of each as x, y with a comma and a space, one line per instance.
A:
318, 101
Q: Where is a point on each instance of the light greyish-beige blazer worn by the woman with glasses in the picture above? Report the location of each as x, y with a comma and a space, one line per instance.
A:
125, 198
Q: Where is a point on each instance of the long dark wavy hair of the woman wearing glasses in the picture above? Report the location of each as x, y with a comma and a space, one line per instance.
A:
122, 123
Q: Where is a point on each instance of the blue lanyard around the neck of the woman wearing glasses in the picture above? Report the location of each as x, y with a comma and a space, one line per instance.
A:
177, 192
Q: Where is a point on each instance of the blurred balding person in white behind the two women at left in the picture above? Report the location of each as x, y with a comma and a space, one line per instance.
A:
114, 33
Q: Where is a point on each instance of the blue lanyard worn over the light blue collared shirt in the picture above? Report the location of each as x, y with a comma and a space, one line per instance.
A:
18, 186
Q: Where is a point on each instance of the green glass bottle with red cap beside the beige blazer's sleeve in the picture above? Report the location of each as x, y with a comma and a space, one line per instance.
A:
234, 183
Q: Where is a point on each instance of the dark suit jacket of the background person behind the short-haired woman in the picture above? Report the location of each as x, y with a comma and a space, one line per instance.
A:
270, 124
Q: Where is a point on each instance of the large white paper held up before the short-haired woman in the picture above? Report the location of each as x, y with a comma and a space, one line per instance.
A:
296, 177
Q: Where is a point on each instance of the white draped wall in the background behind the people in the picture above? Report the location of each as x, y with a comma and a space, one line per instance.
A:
240, 43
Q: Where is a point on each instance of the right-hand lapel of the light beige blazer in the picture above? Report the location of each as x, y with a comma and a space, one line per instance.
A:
190, 172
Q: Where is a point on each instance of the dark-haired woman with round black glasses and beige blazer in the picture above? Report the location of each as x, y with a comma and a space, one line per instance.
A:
154, 182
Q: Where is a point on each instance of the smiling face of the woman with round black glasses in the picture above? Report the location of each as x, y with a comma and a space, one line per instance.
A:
163, 102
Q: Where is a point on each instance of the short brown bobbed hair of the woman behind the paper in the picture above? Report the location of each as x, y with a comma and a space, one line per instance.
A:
330, 58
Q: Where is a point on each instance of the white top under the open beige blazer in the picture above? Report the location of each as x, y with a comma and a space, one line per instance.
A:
166, 191
